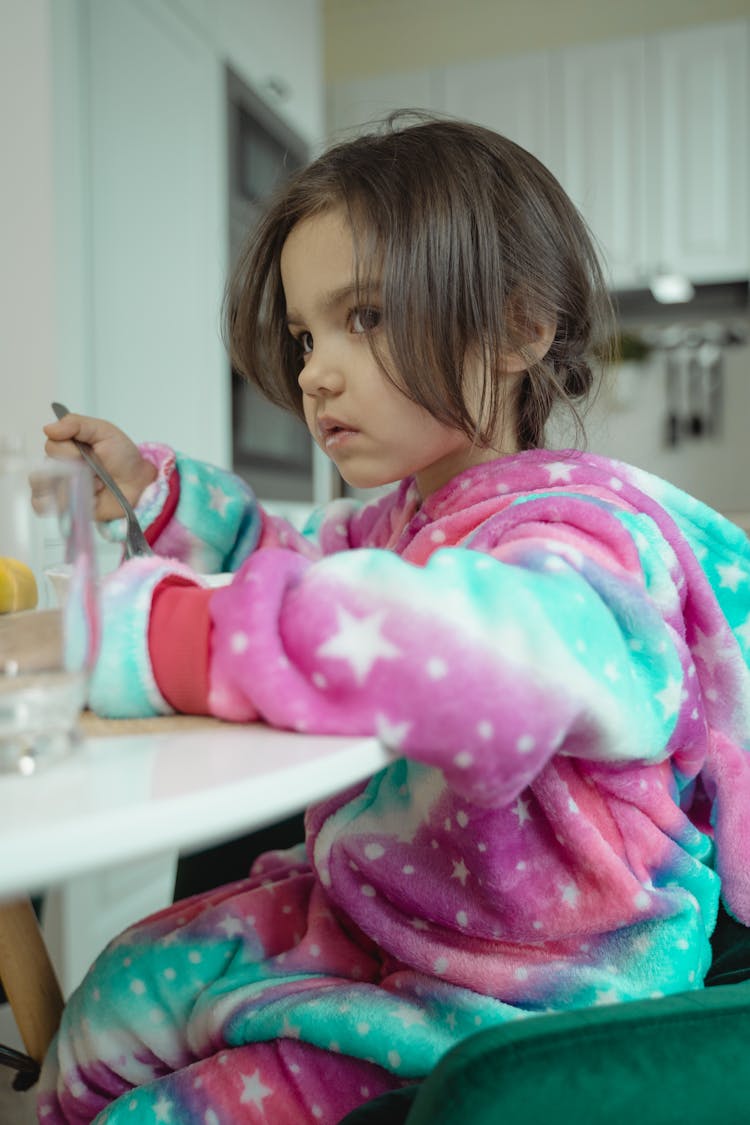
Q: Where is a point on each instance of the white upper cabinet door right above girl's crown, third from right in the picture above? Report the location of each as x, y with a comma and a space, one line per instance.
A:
511, 96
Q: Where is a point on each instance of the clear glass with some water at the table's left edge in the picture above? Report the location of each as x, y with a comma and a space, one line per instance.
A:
48, 643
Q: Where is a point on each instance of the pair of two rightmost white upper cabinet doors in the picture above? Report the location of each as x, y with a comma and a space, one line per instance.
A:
655, 151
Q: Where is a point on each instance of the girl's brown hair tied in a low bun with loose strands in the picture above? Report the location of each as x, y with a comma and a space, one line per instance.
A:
474, 245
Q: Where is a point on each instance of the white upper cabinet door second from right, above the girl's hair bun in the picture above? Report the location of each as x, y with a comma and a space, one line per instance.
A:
602, 149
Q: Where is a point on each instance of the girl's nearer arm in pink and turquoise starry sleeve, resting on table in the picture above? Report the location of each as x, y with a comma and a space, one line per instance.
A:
549, 637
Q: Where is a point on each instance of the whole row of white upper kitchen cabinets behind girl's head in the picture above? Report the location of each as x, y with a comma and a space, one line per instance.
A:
650, 137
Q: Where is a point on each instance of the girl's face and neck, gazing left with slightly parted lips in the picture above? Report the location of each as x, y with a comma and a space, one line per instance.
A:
373, 433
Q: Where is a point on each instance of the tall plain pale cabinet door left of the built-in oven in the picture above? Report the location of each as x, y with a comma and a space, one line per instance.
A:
159, 227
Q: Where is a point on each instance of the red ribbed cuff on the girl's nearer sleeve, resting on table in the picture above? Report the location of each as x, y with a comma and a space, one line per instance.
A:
179, 637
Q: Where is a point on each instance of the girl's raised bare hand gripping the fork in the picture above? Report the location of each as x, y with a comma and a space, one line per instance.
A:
121, 456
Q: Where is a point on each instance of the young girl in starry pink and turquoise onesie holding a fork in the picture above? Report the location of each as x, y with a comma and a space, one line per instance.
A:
554, 645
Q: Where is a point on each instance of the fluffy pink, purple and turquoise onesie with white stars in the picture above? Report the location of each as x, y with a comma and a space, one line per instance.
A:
555, 647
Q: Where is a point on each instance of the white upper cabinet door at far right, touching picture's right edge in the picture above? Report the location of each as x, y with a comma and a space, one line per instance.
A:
699, 138
